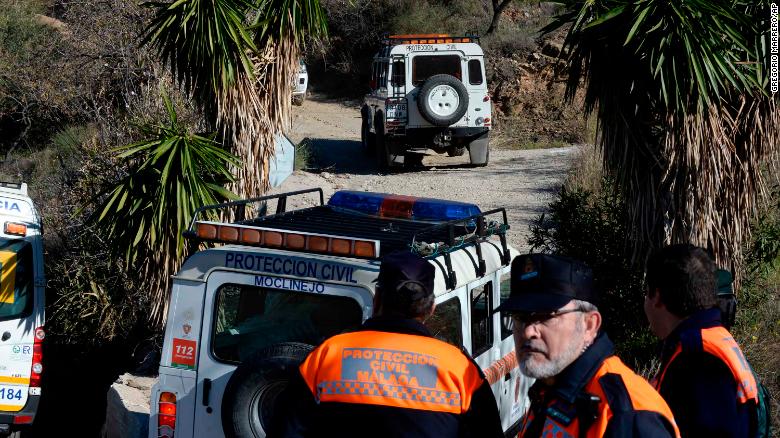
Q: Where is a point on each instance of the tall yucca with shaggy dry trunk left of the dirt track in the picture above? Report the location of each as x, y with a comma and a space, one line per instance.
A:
237, 59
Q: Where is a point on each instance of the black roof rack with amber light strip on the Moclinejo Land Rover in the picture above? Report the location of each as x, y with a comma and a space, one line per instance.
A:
332, 229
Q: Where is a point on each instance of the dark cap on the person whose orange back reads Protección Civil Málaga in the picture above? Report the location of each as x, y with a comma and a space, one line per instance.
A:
402, 269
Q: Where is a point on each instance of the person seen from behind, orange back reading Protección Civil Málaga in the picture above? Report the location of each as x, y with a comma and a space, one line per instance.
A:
392, 378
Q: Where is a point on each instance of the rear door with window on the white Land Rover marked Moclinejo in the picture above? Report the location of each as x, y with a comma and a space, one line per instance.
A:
250, 312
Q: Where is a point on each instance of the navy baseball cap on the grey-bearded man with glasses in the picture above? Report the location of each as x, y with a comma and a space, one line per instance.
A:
545, 283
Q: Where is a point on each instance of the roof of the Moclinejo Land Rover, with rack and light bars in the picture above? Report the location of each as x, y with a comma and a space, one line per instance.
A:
458, 259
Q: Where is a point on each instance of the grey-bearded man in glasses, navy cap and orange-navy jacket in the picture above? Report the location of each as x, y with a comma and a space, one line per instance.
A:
582, 388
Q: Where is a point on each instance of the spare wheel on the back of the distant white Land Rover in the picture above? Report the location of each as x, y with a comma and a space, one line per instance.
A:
442, 100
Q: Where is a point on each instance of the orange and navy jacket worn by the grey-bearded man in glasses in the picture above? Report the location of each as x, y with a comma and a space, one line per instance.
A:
597, 396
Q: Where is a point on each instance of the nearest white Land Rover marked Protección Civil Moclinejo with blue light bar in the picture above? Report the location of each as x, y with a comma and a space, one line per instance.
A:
245, 312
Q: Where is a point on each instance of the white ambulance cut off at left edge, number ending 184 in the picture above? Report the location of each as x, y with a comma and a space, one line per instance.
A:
21, 308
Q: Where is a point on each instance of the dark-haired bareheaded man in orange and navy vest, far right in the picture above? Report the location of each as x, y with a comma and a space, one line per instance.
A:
703, 376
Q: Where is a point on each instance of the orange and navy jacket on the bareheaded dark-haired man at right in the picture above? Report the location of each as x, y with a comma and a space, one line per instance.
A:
706, 380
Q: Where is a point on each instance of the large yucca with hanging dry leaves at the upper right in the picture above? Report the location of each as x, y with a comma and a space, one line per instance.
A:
684, 119
